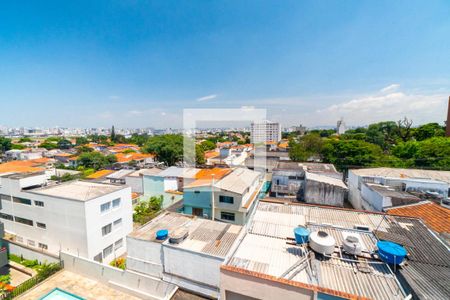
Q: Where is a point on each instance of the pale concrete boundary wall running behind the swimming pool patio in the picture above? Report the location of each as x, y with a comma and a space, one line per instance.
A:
139, 285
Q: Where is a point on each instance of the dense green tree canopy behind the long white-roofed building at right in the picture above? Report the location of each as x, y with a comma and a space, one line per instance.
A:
391, 144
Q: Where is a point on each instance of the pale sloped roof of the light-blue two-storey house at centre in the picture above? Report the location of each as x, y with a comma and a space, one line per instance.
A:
238, 180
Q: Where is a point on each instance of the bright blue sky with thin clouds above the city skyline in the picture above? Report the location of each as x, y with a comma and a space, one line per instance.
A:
140, 63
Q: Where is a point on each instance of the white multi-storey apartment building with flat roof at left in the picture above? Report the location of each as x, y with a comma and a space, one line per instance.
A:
87, 219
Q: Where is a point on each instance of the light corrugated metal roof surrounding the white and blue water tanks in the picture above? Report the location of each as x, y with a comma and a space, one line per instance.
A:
267, 249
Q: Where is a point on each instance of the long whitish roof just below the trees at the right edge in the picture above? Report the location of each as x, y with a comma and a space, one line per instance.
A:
404, 173
